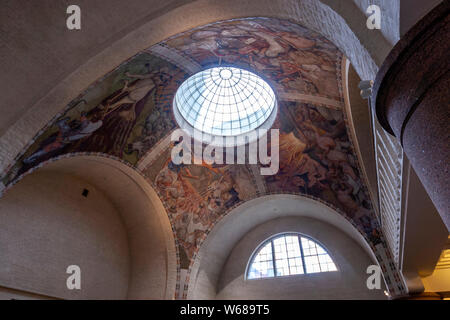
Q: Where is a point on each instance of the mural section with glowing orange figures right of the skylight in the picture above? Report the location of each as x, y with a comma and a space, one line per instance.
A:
315, 158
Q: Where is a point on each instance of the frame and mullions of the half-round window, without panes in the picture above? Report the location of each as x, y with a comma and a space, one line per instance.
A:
270, 239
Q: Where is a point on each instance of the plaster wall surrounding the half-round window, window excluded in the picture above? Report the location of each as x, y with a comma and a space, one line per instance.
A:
347, 282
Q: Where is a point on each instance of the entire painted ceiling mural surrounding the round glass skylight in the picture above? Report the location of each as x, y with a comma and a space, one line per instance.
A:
128, 115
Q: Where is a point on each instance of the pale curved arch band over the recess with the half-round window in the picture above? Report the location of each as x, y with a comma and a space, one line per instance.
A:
224, 235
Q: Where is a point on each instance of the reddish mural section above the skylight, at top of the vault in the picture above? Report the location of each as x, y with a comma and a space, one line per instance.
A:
287, 55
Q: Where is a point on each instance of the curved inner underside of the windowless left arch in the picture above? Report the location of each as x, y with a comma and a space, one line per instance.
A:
150, 238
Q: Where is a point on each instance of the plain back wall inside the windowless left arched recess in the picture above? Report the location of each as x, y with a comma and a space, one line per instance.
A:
46, 225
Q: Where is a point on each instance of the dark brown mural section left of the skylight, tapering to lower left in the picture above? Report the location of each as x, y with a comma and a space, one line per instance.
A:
110, 125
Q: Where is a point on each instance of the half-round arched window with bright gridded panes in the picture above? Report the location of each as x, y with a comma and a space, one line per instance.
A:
289, 254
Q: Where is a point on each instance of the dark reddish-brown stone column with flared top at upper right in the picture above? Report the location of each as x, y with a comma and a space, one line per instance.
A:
412, 102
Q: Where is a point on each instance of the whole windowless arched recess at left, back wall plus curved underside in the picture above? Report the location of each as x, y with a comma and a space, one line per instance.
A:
119, 235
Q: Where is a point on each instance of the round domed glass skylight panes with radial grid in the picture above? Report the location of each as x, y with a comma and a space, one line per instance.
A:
225, 101
